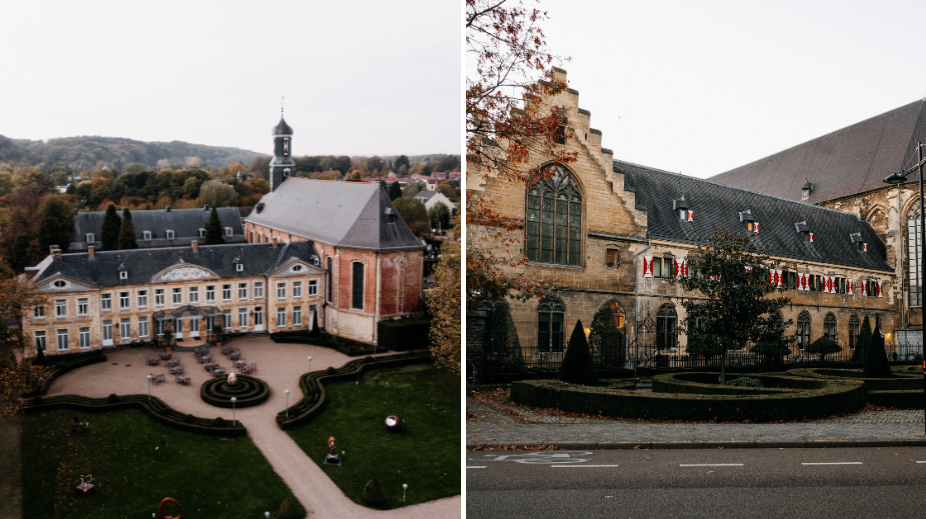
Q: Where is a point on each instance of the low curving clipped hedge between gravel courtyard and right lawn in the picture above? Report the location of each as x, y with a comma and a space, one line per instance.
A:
314, 391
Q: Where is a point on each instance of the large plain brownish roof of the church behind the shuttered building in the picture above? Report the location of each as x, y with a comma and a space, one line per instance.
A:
852, 160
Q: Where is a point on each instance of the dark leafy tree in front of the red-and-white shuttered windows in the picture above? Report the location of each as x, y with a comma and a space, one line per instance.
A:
731, 274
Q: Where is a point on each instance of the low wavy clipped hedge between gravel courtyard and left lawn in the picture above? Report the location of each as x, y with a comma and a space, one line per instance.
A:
157, 409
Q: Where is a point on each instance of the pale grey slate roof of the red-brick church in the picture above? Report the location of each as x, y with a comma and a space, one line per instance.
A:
347, 214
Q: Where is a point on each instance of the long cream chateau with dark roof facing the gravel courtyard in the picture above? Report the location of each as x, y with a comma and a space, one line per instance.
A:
108, 298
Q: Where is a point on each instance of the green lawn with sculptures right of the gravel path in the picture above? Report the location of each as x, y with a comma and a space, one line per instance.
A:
425, 454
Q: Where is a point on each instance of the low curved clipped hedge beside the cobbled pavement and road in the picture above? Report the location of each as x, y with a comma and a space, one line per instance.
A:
834, 397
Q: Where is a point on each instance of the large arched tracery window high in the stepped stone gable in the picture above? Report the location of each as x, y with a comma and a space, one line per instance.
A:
554, 219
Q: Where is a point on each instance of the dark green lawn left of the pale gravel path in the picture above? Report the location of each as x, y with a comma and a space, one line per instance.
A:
208, 476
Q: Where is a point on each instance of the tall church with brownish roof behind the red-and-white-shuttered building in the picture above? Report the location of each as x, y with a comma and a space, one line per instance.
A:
845, 170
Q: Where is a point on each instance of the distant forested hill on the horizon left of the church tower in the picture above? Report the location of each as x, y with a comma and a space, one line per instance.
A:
88, 153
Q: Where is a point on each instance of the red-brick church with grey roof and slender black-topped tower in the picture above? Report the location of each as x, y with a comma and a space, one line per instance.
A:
373, 261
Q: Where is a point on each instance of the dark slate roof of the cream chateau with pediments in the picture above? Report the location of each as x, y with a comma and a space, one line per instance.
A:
143, 264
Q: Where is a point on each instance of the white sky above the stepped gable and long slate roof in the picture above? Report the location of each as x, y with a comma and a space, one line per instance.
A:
703, 87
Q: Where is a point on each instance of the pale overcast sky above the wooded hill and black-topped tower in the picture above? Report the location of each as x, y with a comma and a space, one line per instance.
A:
359, 77
